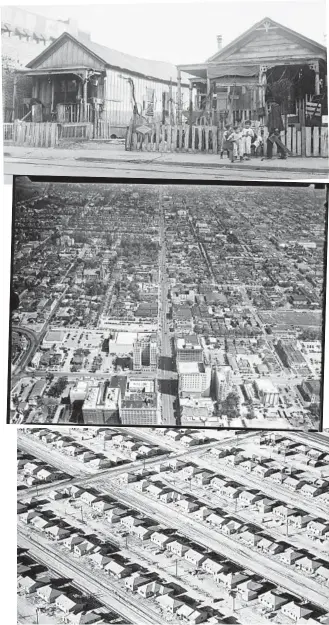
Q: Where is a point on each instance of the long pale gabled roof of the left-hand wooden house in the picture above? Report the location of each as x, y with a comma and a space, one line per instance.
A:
158, 70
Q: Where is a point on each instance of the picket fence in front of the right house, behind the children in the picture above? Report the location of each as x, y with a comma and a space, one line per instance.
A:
309, 141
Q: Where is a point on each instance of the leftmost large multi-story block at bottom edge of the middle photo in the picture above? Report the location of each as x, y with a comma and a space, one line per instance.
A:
102, 404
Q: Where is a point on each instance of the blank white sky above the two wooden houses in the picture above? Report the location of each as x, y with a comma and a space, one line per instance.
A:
185, 32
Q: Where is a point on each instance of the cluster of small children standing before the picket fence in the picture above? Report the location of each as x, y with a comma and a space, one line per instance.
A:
238, 139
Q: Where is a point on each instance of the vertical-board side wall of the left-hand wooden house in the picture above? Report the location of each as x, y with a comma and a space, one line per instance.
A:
118, 103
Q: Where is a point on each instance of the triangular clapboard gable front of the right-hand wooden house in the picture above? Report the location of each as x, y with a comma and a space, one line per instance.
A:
270, 46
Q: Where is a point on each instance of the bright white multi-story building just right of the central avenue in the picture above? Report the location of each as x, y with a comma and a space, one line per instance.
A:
194, 378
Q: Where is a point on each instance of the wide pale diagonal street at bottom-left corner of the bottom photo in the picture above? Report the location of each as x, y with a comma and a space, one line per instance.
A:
111, 595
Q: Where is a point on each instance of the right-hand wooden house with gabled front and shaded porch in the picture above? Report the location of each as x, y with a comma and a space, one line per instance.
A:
268, 61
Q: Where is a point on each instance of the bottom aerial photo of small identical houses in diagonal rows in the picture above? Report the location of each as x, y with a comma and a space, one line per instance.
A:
172, 526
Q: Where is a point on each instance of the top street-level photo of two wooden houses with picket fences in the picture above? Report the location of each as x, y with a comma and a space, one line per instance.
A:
212, 90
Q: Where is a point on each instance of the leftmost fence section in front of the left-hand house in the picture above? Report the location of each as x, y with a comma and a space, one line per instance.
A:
43, 135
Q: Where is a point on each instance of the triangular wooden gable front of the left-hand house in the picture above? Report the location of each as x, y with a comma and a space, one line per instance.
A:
69, 54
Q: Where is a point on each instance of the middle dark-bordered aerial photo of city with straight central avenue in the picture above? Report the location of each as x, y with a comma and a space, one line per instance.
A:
167, 305
